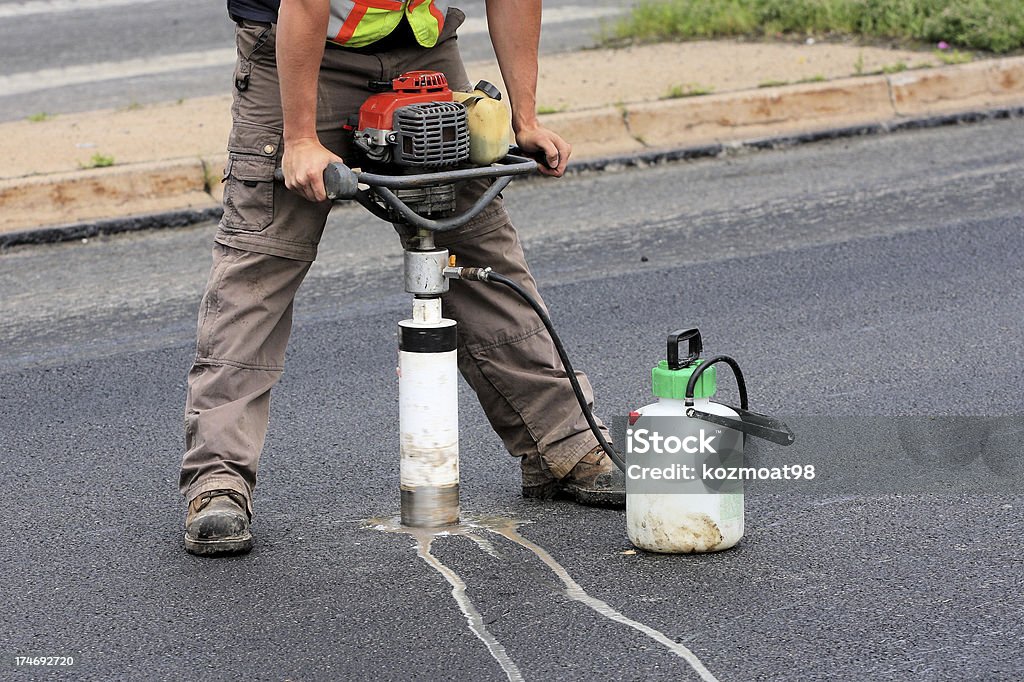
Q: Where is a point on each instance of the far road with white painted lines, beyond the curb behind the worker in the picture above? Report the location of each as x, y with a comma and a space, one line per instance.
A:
73, 56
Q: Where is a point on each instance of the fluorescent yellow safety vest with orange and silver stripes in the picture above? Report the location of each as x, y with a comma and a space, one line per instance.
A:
359, 23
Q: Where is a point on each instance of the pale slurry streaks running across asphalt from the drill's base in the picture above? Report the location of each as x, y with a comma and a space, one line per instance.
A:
476, 529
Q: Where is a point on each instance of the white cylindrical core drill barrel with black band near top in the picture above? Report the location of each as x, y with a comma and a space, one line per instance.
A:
429, 417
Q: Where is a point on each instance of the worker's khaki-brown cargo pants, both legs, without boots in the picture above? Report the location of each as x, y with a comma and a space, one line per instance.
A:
267, 242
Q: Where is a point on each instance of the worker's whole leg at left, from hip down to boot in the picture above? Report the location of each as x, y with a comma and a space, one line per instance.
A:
265, 246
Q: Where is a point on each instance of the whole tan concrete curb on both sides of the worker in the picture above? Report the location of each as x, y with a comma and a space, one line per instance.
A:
94, 202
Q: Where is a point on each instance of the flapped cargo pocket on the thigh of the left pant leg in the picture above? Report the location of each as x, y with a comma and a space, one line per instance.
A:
249, 190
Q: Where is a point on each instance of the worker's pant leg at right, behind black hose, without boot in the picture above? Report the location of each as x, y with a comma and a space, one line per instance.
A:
508, 357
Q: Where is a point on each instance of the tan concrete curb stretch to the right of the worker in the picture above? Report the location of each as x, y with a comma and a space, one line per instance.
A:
776, 111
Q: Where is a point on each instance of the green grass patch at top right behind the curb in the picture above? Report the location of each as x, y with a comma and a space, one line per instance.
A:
994, 26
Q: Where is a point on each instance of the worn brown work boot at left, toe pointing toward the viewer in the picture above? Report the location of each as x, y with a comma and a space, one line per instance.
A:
219, 524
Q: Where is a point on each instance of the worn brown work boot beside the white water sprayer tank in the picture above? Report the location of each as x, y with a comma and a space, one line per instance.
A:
594, 482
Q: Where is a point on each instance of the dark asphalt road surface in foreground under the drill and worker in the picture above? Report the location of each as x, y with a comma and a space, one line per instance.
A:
855, 282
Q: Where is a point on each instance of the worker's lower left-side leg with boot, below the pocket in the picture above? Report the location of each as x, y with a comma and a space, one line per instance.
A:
244, 325
